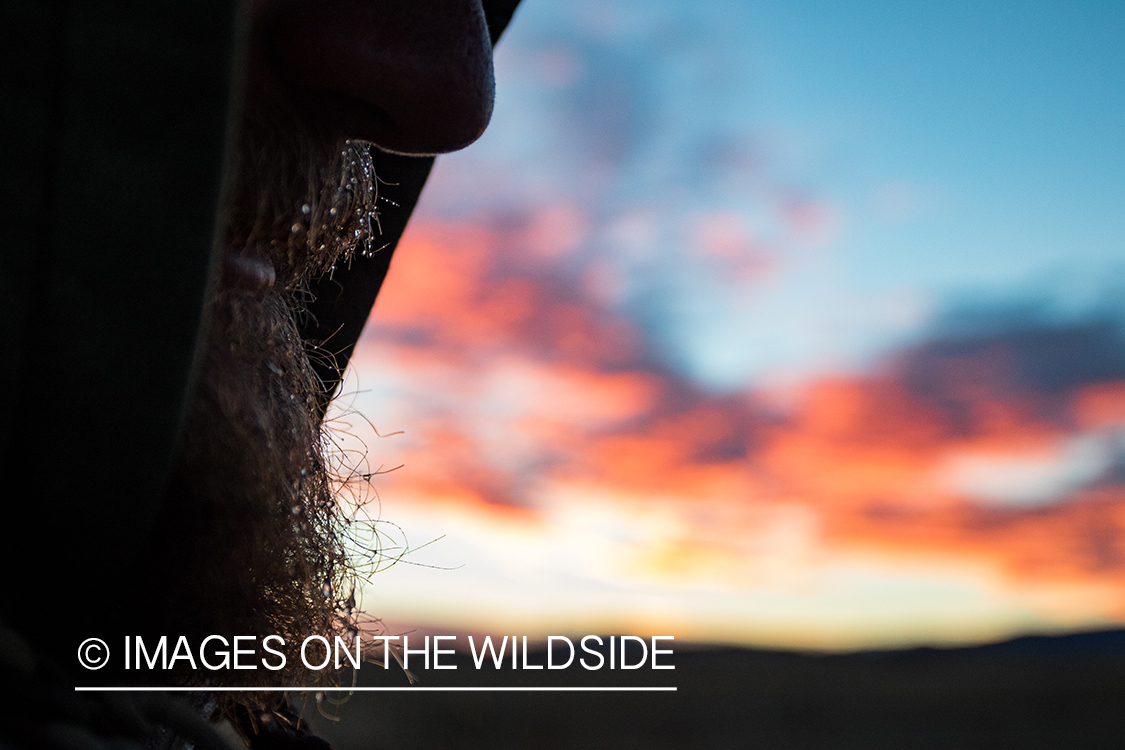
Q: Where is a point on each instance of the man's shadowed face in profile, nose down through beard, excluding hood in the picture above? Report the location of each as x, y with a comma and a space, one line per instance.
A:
251, 519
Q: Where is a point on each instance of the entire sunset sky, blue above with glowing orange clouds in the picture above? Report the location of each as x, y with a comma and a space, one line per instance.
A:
788, 324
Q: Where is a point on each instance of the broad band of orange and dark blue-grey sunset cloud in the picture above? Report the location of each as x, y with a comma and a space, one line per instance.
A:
997, 446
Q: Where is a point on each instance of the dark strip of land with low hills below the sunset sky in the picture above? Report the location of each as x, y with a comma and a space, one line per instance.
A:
1034, 692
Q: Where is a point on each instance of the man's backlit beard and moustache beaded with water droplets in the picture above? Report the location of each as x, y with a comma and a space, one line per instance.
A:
251, 536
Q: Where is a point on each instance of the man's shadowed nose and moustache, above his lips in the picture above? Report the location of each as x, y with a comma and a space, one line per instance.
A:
410, 78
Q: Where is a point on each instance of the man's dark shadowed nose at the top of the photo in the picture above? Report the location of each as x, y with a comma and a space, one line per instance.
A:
412, 77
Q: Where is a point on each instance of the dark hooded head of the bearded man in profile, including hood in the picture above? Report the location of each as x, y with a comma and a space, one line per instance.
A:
201, 241
